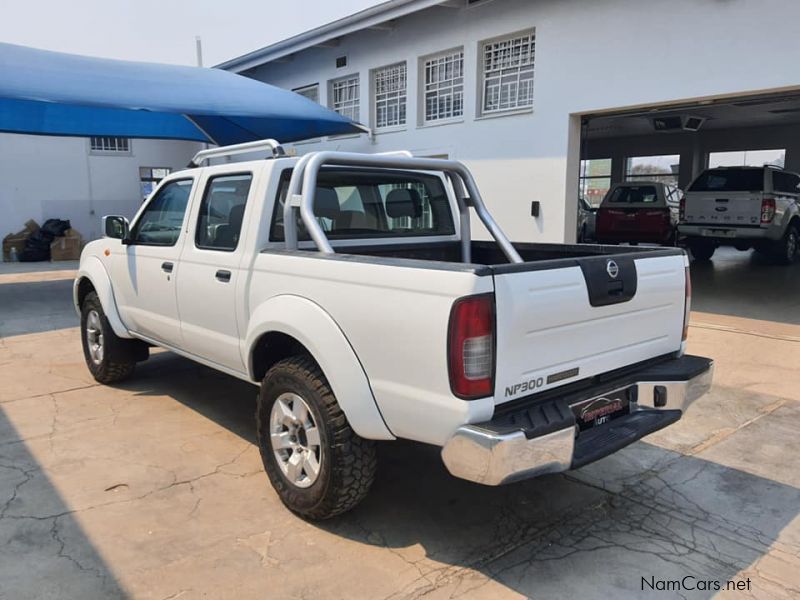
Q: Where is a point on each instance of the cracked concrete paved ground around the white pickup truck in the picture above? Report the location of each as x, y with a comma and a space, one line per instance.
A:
154, 489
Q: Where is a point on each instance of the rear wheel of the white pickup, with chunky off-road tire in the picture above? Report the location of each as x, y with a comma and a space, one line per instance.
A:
317, 464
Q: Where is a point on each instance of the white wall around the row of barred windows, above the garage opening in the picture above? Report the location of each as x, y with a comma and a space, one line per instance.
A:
590, 57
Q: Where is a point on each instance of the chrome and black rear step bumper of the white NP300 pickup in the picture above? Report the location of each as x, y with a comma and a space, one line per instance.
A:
542, 437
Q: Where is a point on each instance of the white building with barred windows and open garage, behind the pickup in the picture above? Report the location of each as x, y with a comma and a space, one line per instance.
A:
522, 90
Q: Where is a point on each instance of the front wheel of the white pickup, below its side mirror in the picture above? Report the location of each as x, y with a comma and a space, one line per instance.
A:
102, 348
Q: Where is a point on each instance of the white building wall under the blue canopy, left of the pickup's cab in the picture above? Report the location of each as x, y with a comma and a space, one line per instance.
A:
44, 177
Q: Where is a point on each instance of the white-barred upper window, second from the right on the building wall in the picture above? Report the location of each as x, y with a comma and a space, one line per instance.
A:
442, 88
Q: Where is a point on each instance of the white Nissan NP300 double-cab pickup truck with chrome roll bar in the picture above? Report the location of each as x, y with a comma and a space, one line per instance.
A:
349, 288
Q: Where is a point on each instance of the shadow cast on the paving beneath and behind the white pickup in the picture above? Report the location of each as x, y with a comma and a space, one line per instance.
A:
645, 513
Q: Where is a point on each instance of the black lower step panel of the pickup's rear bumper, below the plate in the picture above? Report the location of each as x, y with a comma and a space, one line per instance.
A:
598, 442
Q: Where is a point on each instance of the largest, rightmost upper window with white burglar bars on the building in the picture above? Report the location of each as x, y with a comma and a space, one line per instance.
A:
507, 71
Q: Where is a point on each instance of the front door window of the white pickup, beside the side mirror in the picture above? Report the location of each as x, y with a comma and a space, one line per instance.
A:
160, 223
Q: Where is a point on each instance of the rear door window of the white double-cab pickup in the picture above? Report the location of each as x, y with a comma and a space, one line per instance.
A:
219, 223
